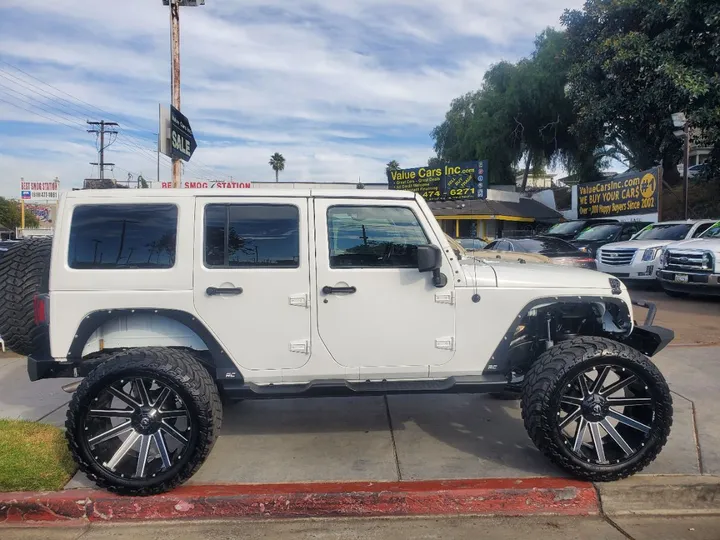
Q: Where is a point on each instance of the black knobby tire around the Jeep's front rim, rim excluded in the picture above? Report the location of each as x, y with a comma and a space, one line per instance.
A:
541, 391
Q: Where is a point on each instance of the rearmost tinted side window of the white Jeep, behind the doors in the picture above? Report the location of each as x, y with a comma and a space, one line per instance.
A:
121, 236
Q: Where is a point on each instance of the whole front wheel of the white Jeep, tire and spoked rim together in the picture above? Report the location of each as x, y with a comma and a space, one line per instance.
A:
597, 408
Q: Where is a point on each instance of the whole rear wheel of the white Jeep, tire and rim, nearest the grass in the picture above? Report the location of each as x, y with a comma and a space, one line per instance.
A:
144, 421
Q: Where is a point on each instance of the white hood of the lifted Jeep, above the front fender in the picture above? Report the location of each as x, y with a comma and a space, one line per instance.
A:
547, 276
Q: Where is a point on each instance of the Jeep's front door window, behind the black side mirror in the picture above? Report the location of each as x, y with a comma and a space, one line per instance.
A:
374, 236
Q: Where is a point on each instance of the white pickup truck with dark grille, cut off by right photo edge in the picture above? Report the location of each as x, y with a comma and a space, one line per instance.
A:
692, 266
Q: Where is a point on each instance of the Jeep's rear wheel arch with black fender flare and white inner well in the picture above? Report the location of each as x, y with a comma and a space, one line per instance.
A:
110, 330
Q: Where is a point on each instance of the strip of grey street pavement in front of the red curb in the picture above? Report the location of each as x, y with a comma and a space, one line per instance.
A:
547, 528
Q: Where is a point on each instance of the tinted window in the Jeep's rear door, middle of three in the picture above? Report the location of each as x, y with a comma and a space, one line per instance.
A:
252, 235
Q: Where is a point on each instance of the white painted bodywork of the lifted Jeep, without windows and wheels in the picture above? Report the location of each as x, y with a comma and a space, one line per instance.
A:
282, 328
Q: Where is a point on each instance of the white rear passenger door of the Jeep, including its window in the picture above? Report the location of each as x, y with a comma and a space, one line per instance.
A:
252, 278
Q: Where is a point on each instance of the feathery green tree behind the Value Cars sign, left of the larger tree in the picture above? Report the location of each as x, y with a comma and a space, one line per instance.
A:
520, 119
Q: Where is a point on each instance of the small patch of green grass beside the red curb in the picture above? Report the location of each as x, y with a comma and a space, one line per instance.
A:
33, 457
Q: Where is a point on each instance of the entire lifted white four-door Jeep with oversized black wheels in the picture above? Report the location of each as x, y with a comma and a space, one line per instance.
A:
166, 301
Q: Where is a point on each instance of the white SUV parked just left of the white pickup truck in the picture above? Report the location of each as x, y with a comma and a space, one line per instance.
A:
639, 257
